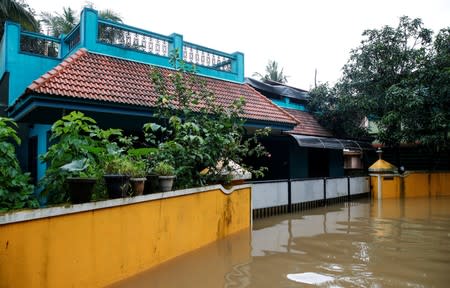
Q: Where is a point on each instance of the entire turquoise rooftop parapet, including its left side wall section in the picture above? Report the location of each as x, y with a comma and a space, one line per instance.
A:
40, 53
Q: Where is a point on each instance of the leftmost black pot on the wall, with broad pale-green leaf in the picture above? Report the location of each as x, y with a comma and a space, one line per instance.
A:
81, 180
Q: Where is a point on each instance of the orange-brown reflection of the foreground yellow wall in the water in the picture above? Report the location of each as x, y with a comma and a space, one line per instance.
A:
203, 267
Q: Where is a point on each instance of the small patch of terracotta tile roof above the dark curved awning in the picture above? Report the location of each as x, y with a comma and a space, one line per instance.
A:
308, 125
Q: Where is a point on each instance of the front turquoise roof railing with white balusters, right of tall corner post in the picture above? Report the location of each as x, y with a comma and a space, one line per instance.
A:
132, 43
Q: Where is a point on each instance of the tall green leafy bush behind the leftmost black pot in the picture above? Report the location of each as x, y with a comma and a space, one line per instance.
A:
76, 137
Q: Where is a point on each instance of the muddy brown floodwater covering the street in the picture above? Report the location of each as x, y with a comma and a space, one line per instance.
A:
391, 243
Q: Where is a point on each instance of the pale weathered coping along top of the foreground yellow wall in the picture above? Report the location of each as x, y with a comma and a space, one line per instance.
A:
27, 215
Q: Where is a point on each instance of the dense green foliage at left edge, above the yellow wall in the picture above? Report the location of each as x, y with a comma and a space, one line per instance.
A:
16, 192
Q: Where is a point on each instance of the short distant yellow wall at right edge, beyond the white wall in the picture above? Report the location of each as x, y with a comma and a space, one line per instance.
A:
411, 184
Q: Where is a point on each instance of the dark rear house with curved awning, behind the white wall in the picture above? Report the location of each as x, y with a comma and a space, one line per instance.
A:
308, 150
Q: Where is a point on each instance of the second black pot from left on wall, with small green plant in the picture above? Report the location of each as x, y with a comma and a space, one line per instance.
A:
117, 176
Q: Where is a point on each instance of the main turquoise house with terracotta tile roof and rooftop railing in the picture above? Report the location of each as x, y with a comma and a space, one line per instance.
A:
102, 69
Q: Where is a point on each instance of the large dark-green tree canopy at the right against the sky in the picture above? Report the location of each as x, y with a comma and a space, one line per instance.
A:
398, 77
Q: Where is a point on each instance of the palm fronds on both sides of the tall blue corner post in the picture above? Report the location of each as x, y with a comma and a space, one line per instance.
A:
64, 23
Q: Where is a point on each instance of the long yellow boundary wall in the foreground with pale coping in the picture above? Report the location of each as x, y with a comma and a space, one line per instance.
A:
99, 243
